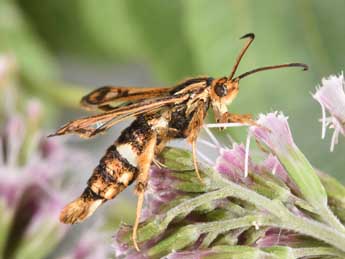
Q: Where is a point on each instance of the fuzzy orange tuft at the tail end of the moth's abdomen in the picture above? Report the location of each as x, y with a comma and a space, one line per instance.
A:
78, 210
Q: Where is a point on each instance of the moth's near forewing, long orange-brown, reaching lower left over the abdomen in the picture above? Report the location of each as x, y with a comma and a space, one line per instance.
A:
90, 126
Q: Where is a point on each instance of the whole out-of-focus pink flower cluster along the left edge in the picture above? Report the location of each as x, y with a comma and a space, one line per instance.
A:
33, 183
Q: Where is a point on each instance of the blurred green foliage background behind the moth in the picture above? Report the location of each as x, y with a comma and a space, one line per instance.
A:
60, 50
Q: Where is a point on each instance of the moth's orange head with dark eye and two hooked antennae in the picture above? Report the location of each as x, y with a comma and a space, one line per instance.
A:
224, 90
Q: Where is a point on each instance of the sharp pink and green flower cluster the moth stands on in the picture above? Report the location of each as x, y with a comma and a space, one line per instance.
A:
280, 210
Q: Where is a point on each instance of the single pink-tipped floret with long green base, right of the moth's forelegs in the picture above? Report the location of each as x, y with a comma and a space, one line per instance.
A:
274, 133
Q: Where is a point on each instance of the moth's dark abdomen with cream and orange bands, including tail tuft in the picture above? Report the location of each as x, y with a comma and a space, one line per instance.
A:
117, 169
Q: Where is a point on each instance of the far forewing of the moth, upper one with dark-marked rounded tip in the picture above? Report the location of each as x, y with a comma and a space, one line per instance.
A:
102, 97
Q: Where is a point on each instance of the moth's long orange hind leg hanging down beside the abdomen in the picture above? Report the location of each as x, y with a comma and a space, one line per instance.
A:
144, 162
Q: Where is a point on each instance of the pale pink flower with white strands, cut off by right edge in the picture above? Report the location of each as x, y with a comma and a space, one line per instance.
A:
331, 96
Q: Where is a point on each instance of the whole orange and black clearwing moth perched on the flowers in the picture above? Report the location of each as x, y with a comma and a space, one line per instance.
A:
160, 114
